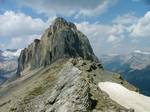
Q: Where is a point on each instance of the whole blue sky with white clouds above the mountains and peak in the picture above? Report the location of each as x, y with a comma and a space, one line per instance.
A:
112, 26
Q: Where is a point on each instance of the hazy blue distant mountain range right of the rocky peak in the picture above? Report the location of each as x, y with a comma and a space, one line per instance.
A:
134, 67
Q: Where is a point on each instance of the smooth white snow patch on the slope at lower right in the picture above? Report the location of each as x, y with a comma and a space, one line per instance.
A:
127, 98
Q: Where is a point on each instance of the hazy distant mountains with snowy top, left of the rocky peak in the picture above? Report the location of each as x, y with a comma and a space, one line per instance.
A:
8, 63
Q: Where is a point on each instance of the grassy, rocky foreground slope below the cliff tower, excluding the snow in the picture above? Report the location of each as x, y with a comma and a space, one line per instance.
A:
68, 85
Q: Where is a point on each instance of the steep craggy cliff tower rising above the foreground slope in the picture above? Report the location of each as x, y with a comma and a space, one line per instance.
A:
60, 40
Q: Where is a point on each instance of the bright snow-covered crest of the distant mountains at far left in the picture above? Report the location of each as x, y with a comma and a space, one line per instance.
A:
9, 53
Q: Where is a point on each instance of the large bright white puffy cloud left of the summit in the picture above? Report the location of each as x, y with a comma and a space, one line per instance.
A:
16, 24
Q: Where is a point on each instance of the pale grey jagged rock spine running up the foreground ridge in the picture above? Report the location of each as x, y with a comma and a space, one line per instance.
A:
72, 92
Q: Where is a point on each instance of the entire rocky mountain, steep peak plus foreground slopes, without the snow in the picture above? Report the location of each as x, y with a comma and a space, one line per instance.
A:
60, 73
